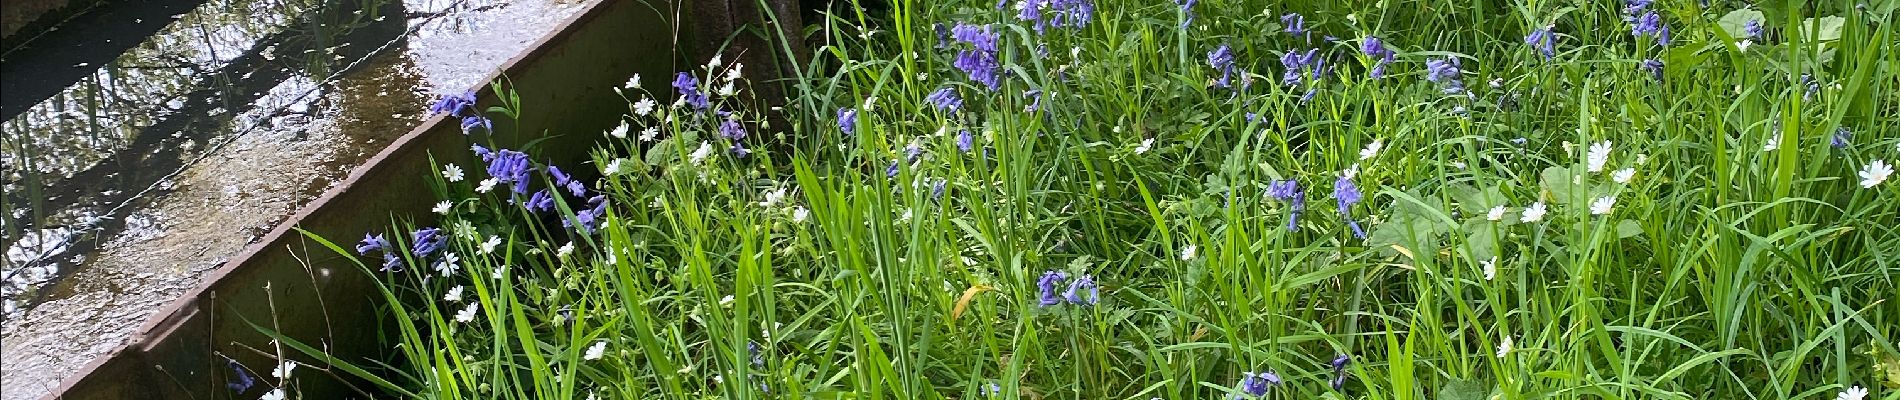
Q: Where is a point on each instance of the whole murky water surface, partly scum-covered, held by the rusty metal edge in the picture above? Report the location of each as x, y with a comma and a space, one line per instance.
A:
172, 158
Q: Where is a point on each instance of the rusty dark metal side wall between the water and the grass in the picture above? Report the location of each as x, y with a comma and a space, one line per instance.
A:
563, 81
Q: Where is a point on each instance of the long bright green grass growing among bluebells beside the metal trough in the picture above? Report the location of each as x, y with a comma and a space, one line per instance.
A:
1722, 270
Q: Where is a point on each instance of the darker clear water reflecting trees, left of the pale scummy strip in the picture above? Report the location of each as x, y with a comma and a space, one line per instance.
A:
218, 73
